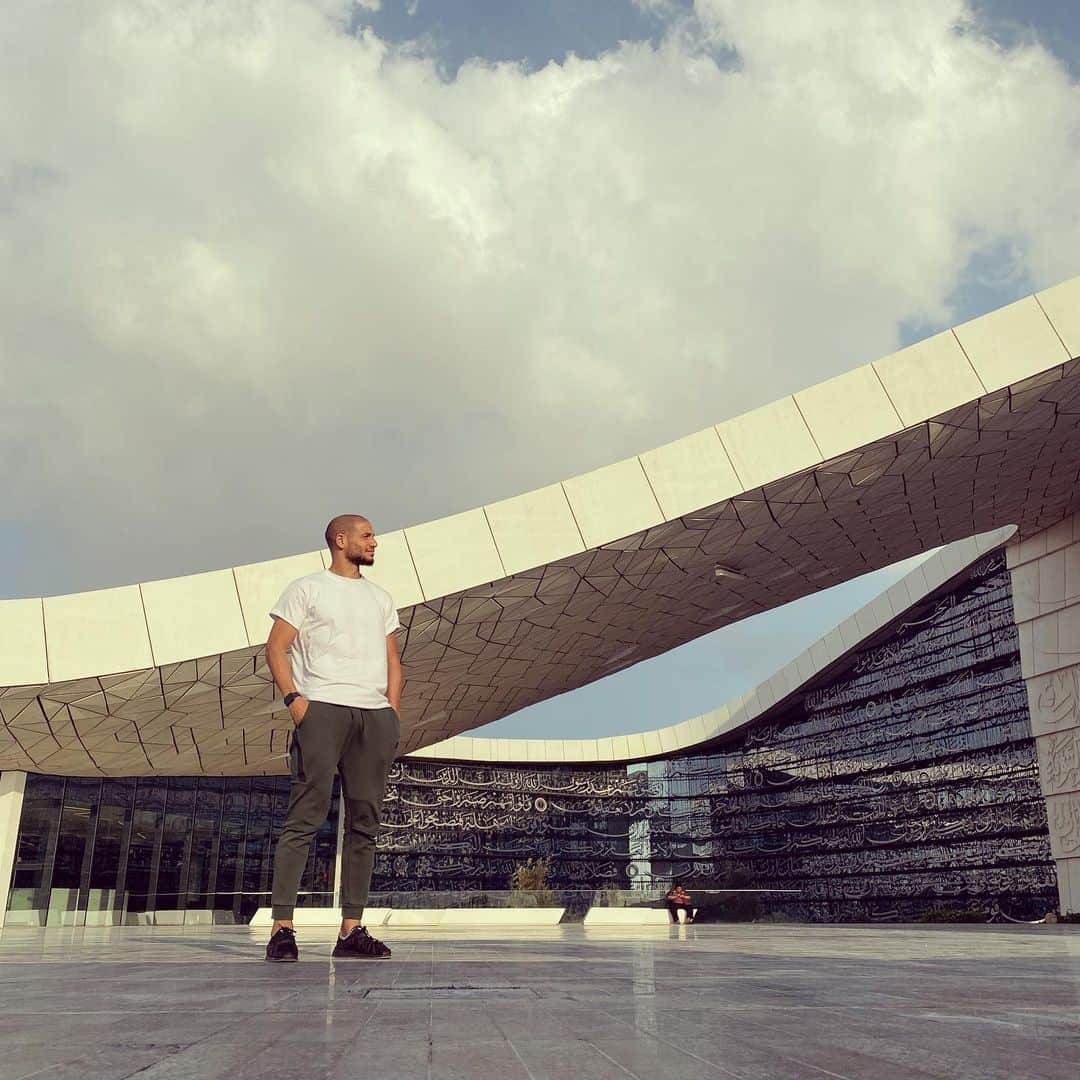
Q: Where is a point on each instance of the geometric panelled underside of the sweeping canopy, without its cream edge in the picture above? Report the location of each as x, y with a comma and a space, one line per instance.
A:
1007, 457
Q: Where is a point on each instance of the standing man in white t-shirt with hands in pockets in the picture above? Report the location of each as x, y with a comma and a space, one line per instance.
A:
334, 656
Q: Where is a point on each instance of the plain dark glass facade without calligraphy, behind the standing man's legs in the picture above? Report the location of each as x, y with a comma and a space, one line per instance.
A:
112, 852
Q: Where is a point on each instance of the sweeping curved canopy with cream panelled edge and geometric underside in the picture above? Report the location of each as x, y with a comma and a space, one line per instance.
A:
973, 430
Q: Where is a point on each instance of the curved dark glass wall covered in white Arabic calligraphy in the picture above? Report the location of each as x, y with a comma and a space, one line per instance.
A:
906, 781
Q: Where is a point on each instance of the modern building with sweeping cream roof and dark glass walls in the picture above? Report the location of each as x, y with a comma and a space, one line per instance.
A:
925, 754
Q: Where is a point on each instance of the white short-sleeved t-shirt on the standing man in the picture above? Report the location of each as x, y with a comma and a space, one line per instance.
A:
340, 655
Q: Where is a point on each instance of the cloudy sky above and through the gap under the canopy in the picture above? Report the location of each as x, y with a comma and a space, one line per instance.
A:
266, 261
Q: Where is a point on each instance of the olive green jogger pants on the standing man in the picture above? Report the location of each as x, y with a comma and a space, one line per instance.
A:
360, 746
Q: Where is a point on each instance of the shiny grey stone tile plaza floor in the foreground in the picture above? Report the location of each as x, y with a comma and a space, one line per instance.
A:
749, 1002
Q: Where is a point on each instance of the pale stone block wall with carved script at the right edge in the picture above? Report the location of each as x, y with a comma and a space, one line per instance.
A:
1046, 576
